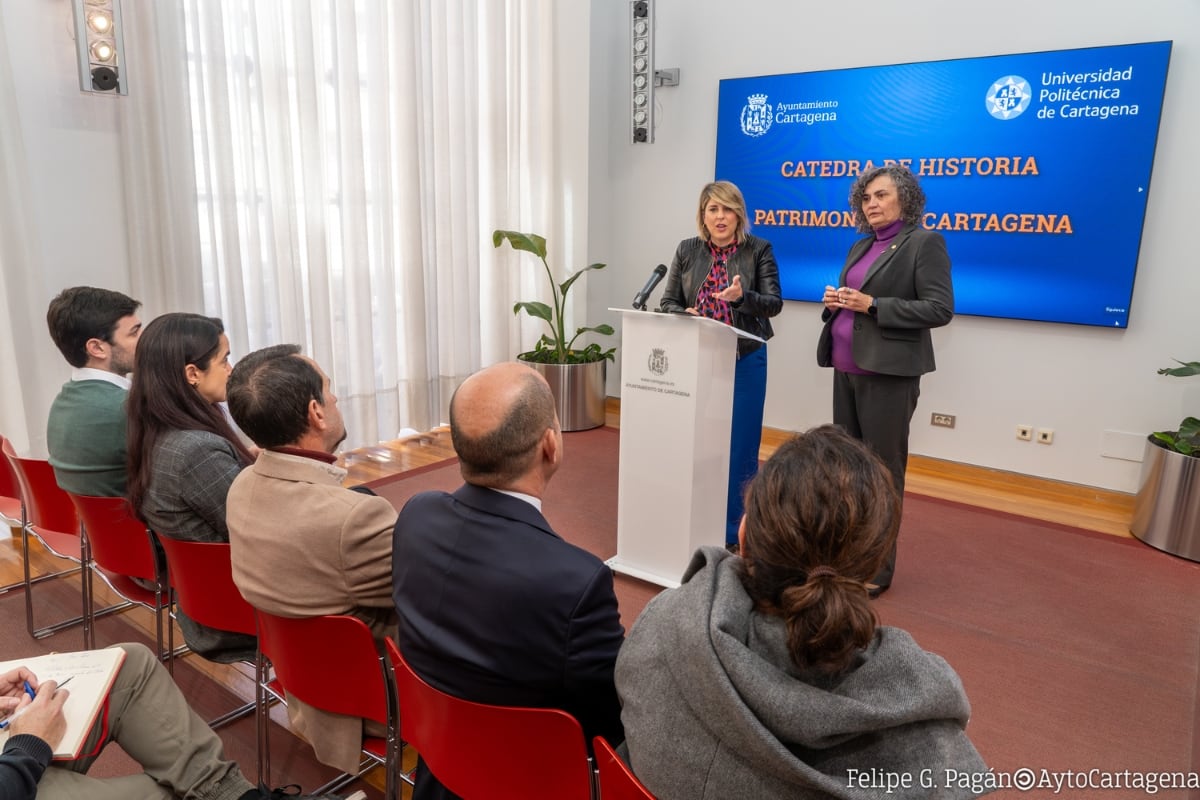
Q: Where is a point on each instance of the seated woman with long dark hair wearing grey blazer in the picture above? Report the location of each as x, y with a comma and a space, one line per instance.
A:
183, 452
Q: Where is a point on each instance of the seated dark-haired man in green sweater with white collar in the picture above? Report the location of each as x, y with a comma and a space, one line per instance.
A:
98, 332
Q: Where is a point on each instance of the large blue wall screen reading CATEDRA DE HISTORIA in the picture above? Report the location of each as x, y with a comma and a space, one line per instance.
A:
1036, 169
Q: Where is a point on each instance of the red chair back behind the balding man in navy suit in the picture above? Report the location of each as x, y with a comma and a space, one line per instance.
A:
466, 744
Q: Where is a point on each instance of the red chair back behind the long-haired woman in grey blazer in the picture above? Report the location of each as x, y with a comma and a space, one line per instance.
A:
202, 575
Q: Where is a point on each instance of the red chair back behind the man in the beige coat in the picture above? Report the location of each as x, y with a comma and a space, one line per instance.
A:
329, 663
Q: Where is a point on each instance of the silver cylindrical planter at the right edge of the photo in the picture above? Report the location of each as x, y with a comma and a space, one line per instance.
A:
1167, 510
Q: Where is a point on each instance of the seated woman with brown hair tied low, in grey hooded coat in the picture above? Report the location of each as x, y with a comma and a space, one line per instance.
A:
769, 677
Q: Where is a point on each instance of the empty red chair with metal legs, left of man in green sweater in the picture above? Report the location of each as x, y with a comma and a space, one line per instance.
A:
49, 515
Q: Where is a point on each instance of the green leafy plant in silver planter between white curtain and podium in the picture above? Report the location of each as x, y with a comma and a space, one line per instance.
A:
555, 347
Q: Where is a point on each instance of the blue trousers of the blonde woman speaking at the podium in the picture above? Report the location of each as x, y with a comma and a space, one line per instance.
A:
746, 434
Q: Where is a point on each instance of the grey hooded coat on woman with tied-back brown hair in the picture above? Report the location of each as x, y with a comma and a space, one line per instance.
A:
715, 708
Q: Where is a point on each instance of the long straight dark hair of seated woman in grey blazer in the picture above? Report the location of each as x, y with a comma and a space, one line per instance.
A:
161, 400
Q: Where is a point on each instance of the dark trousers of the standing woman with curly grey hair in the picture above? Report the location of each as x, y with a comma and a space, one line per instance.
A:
879, 410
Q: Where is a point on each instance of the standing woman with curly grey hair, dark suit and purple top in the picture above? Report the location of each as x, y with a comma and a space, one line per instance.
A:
895, 288
